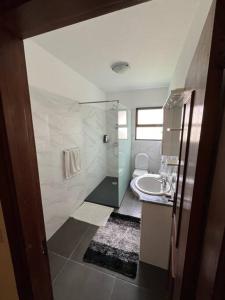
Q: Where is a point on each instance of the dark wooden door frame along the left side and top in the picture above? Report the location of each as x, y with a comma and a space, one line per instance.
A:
20, 188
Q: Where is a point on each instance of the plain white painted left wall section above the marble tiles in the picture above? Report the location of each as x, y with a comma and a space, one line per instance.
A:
47, 72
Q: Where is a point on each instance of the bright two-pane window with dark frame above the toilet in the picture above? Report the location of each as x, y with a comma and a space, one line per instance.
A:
149, 123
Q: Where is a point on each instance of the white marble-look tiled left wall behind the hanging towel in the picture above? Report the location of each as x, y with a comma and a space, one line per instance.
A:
61, 123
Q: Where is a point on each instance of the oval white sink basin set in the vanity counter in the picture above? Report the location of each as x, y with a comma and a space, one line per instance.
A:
152, 185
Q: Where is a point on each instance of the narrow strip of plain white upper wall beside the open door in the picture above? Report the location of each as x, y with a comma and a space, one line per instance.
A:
190, 45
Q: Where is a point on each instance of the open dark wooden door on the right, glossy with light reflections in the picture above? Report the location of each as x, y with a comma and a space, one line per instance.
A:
205, 77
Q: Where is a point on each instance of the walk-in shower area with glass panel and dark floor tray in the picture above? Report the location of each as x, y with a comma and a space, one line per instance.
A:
109, 146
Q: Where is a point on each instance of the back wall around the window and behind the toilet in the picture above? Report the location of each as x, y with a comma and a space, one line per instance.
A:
143, 98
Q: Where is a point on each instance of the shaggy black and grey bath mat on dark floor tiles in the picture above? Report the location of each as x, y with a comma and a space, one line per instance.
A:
116, 245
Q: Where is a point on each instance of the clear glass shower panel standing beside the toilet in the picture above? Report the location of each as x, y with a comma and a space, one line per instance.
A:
124, 138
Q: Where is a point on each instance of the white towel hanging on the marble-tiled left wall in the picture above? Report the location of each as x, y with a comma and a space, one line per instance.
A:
72, 162
